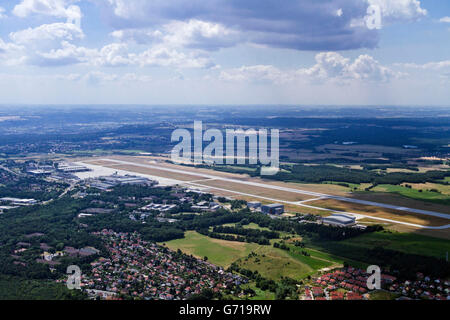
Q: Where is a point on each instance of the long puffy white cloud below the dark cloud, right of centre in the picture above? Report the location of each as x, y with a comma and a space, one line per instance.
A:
329, 67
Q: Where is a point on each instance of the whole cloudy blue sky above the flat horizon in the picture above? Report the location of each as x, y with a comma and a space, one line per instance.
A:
220, 52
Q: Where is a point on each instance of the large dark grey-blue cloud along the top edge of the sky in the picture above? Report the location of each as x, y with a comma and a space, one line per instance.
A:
297, 24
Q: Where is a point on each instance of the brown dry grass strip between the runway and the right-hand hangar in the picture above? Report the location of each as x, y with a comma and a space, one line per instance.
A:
379, 212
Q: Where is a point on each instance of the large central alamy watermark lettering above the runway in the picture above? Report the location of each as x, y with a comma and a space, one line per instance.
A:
231, 150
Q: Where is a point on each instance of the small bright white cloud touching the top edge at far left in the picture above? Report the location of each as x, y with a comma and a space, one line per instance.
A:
55, 8
